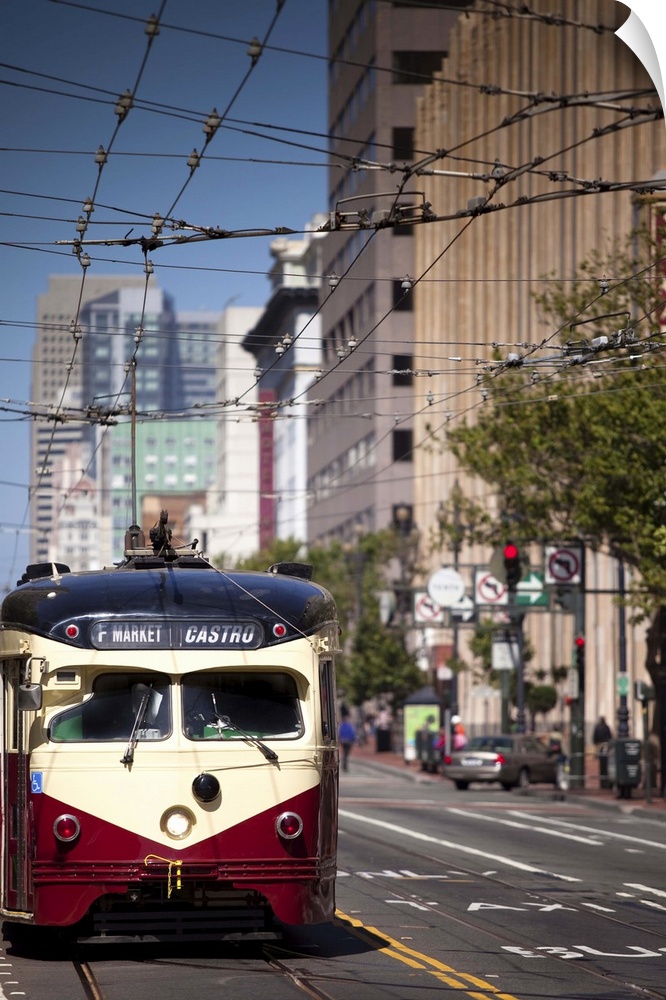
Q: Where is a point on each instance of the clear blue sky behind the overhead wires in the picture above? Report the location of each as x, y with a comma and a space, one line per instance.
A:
52, 123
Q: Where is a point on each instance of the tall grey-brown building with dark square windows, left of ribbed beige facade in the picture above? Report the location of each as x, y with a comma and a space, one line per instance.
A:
360, 438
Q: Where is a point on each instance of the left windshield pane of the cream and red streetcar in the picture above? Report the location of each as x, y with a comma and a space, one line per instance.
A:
118, 702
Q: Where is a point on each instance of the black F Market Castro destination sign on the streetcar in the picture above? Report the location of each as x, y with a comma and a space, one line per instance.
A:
176, 635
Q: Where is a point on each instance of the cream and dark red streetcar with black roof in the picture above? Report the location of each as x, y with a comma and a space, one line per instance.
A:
169, 749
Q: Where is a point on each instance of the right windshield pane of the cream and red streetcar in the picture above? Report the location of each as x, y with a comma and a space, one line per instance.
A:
262, 705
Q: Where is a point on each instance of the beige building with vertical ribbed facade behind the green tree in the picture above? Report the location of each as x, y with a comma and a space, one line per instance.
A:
479, 275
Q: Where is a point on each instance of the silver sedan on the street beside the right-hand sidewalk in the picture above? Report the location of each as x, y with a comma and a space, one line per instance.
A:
514, 760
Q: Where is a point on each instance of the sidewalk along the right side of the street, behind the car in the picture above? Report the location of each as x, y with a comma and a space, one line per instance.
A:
591, 792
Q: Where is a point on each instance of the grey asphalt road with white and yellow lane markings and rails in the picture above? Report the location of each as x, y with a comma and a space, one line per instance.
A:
483, 894
